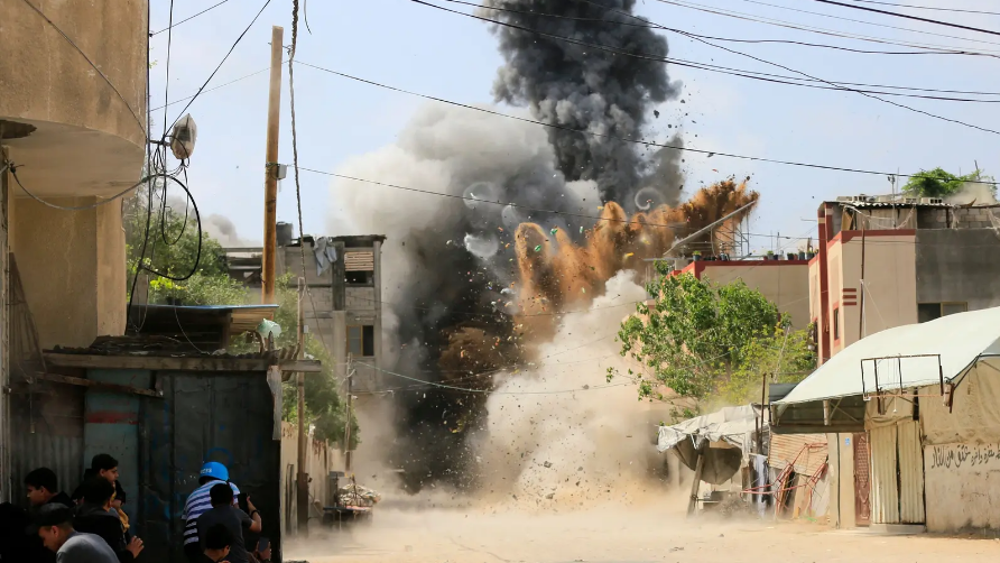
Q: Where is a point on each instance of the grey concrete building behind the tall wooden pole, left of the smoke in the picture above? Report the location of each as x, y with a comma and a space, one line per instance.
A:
344, 308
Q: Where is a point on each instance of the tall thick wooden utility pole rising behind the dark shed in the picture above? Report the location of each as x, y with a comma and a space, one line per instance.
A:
271, 169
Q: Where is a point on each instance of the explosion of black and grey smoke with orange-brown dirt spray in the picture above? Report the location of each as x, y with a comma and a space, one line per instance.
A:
539, 221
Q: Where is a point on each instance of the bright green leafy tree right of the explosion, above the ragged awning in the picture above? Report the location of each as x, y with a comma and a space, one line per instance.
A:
708, 341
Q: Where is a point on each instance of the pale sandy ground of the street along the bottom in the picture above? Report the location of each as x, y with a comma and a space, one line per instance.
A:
617, 535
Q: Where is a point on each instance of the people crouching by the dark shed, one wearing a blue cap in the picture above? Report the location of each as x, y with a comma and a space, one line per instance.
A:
91, 525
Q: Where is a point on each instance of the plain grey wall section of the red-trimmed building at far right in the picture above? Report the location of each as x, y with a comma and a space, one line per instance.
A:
958, 265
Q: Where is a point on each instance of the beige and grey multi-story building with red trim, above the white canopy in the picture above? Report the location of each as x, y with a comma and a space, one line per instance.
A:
885, 262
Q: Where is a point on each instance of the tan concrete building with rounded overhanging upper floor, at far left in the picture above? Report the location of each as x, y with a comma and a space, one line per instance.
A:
72, 107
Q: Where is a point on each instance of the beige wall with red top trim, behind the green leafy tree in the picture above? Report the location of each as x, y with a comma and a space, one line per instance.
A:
785, 284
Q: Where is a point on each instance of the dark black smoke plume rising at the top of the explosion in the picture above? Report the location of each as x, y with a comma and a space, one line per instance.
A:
603, 91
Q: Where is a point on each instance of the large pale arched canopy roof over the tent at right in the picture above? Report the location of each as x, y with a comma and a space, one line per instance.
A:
904, 357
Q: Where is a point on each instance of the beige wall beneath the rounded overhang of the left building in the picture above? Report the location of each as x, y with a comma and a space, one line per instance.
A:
72, 267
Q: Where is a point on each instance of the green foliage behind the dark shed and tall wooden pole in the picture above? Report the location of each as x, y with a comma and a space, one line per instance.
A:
172, 248
